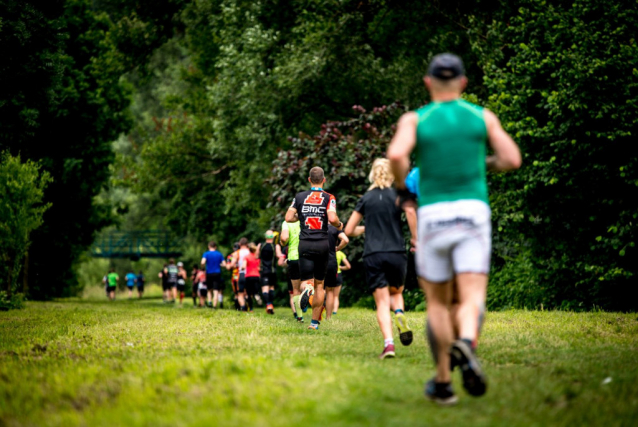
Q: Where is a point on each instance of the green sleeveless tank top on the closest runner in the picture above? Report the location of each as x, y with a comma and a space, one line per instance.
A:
451, 140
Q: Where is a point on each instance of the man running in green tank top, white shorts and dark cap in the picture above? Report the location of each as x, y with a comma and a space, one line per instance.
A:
454, 229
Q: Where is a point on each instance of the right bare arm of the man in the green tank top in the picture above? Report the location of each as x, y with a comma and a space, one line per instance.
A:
507, 155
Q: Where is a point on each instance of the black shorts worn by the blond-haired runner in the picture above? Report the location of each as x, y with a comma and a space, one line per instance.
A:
385, 269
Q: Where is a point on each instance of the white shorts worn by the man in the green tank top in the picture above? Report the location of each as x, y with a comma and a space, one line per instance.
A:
453, 237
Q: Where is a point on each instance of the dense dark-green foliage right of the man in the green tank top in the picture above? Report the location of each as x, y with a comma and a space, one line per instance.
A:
565, 87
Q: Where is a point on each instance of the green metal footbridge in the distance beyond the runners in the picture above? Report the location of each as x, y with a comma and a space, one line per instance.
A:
136, 245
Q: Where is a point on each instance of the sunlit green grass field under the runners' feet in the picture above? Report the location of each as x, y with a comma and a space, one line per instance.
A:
98, 363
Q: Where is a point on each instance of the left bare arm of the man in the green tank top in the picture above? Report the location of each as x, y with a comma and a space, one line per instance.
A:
401, 146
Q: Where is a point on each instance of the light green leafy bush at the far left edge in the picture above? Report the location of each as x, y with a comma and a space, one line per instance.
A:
22, 187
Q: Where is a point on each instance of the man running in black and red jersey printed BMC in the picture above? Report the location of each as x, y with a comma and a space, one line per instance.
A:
314, 209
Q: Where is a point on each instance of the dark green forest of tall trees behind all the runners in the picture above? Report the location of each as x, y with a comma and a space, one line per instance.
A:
202, 117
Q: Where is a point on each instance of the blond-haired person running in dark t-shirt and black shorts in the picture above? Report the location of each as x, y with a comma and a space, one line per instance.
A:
384, 255
